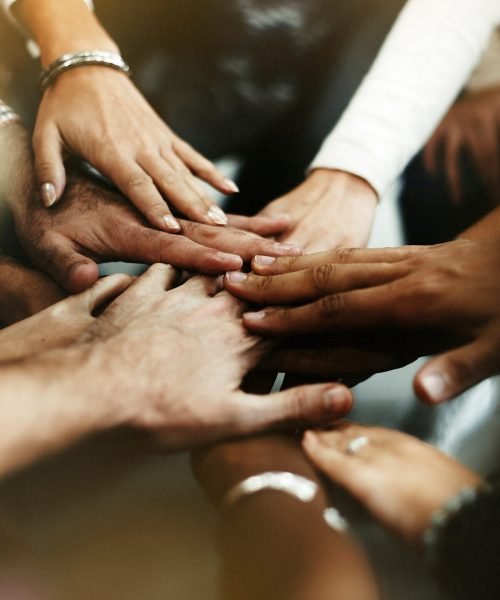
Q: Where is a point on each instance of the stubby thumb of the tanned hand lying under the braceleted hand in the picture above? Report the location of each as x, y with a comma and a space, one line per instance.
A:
74, 271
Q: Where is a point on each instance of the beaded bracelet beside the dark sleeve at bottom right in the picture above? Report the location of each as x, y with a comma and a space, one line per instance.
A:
432, 536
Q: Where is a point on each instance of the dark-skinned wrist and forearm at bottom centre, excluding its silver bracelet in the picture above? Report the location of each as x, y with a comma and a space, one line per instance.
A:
273, 545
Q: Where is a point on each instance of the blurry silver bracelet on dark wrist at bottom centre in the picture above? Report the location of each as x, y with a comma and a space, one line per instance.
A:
294, 485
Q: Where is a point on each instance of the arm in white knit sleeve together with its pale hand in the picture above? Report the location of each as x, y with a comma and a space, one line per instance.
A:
421, 68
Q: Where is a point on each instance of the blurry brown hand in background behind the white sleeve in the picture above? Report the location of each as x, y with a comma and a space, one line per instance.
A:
471, 128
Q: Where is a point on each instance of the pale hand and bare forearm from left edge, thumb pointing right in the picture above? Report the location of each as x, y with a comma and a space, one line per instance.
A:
170, 362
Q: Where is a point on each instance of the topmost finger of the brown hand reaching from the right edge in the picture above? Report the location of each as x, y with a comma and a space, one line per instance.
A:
269, 265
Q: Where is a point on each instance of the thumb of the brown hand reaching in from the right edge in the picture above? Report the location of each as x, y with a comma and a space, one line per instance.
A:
454, 372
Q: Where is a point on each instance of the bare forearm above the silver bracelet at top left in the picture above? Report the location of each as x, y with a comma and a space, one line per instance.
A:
61, 27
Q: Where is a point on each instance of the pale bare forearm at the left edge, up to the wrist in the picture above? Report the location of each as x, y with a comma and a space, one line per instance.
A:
48, 403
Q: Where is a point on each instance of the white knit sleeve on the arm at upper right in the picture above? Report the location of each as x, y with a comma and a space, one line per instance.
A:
424, 63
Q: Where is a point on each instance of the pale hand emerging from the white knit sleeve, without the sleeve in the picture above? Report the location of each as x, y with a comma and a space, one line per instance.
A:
329, 210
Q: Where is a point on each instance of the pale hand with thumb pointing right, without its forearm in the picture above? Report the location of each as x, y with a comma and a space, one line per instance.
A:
186, 352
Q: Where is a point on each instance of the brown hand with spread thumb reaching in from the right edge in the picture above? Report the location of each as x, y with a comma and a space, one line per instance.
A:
451, 288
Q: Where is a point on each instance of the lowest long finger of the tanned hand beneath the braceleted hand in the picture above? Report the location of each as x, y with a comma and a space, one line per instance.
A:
152, 246
